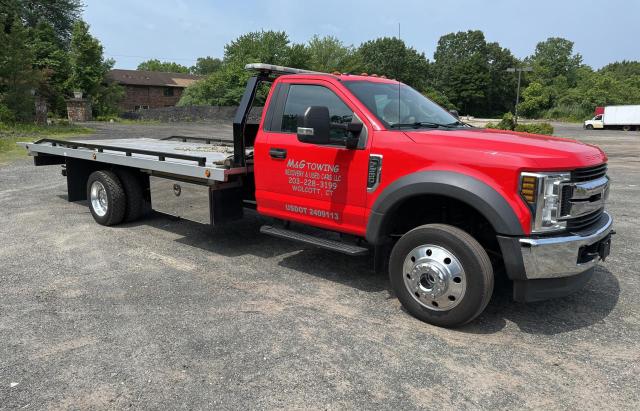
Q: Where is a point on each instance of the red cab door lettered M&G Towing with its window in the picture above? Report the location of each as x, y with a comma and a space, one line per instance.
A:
322, 185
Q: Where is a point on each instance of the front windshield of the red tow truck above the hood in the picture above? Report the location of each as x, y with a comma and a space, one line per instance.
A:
412, 109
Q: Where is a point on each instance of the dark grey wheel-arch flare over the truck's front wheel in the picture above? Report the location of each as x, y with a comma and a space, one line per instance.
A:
477, 194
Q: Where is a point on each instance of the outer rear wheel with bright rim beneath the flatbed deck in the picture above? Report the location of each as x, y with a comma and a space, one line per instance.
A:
107, 198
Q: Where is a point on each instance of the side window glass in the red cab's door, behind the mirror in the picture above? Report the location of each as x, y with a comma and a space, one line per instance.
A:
302, 96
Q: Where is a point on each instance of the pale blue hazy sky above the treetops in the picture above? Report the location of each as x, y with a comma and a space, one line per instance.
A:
178, 30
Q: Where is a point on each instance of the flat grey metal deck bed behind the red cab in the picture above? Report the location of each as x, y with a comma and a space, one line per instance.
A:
207, 159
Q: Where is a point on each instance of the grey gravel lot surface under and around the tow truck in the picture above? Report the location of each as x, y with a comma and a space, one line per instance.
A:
168, 314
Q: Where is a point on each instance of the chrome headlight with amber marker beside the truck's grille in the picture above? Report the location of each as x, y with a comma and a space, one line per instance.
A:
543, 192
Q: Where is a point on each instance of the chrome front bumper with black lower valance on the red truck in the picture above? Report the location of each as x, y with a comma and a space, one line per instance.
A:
548, 267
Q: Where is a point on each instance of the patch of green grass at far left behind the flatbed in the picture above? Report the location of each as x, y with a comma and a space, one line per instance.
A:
14, 133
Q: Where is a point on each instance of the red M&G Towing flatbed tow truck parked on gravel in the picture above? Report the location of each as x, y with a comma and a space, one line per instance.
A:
363, 164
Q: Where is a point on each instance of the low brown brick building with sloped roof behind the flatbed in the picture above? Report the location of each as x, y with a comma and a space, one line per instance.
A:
150, 89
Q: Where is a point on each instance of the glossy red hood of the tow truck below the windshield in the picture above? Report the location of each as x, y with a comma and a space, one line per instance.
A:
546, 152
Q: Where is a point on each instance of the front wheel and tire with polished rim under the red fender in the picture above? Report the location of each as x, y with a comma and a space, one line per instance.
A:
441, 275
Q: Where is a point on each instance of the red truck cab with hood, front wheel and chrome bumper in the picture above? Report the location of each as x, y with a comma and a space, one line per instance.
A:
371, 157
